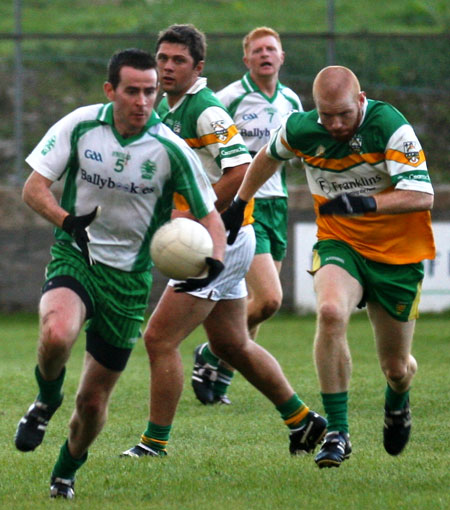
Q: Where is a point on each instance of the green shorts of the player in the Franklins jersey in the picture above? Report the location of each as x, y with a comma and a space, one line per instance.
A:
396, 287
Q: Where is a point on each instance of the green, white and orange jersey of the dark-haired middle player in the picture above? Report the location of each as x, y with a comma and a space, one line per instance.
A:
206, 126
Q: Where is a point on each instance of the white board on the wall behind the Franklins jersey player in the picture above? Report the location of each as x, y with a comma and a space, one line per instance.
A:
436, 285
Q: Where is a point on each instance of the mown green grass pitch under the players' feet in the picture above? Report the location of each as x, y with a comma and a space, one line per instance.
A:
236, 456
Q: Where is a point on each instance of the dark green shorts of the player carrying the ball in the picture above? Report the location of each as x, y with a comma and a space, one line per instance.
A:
116, 300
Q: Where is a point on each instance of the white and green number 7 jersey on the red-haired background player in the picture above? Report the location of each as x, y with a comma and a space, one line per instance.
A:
256, 115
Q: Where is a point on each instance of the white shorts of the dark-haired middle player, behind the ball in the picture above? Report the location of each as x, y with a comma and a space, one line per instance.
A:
230, 284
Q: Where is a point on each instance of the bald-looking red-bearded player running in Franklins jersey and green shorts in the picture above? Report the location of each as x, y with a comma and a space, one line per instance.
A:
372, 195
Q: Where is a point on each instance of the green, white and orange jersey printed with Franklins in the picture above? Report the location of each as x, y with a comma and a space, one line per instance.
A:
383, 154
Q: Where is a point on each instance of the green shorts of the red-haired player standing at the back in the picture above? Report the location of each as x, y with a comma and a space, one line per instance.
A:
271, 220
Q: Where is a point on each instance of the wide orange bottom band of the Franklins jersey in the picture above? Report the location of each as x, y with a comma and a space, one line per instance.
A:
407, 240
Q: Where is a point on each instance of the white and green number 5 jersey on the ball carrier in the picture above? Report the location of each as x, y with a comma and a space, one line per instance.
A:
132, 179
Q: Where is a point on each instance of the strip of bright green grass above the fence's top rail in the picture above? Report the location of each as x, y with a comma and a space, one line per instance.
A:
234, 16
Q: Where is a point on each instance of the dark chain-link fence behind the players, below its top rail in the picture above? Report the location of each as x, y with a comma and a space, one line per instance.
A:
61, 72
